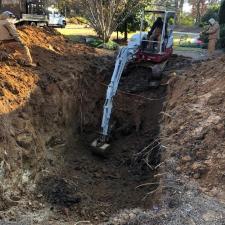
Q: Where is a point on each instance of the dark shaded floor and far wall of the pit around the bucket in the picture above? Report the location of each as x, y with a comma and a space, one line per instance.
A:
93, 187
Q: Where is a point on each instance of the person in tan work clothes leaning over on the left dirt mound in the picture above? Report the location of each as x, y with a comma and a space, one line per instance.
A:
10, 41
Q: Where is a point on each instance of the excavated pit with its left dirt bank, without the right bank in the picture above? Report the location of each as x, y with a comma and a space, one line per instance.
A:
49, 117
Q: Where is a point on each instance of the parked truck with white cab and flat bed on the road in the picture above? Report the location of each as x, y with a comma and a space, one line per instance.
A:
33, 12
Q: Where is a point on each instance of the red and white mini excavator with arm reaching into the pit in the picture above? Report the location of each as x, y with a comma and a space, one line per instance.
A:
141, 51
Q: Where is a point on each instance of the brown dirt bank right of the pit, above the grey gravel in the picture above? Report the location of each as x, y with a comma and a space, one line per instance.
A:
195, 125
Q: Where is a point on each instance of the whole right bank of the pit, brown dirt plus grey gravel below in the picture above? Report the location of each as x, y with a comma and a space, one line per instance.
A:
192, 167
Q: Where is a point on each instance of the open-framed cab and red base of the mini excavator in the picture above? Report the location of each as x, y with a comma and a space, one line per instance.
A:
157, 44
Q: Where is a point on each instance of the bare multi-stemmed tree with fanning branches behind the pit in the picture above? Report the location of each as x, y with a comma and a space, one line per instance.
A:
103, 14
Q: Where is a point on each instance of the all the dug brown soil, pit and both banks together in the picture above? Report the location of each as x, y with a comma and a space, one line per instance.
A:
165, 165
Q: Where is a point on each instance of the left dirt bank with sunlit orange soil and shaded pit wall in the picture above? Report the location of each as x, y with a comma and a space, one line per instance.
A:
42, 107
